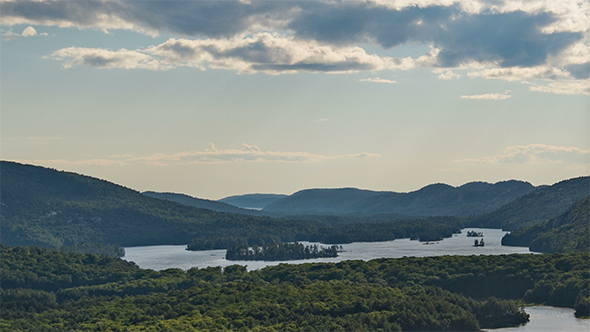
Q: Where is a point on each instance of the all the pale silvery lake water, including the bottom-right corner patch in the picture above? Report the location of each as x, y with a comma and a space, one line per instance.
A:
543, 318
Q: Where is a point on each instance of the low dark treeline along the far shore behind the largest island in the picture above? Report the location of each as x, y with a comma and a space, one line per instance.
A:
427, 229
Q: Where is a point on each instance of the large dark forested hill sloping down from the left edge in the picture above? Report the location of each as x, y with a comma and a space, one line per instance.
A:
46, 207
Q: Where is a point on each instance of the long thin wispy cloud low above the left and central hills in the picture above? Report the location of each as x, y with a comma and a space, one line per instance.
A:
211, 155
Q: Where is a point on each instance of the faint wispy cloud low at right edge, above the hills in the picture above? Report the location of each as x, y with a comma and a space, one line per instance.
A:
537, 154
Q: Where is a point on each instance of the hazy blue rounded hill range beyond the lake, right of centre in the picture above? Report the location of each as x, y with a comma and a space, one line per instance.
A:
433, 200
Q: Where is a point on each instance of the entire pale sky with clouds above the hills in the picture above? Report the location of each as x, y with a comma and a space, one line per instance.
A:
219, 98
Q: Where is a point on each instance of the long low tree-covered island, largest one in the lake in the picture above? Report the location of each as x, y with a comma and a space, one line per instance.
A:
280, 252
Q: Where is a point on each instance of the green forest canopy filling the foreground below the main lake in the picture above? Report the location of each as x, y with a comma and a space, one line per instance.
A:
45, 290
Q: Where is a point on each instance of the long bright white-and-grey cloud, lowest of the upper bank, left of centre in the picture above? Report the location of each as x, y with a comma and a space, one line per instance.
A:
265, 52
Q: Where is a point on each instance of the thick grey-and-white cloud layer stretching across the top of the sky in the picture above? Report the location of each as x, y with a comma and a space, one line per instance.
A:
546, 41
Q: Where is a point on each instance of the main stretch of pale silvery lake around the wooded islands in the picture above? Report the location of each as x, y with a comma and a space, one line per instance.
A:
163, 257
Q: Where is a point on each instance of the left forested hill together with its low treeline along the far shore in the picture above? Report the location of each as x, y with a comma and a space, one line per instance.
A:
45, 207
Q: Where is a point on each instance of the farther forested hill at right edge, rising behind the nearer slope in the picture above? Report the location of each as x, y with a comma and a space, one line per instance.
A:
540, 205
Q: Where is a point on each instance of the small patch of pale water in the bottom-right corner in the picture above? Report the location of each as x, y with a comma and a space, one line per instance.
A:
550, 319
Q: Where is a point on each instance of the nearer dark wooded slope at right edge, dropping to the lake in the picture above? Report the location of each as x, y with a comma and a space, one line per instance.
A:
569, 232
